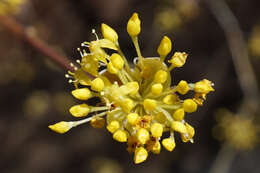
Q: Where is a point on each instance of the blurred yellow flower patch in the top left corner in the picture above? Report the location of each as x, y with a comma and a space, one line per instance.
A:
10, 6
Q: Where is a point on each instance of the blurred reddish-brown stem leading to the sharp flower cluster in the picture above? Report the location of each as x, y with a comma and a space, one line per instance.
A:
19, 31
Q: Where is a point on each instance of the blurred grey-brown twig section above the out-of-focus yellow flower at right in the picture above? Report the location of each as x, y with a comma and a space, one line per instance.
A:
239, 52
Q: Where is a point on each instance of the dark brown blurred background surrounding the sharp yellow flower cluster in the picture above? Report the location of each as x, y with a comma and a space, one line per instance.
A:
34, 92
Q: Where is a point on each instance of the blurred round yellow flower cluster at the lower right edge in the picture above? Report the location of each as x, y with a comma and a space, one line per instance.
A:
240, 132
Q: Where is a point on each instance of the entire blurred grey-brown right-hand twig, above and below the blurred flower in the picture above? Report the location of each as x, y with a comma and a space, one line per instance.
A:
244, 70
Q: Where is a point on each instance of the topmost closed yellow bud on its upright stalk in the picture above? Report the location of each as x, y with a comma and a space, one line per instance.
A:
134, 25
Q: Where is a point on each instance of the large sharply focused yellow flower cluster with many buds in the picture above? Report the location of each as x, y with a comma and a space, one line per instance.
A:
138, 100
